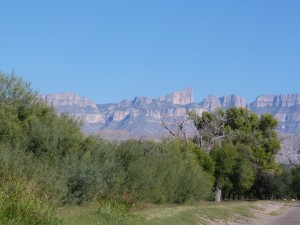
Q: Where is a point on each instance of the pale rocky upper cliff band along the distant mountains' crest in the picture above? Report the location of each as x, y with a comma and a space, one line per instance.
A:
176, 104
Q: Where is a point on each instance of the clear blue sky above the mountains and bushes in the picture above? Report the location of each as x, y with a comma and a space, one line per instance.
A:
110, 50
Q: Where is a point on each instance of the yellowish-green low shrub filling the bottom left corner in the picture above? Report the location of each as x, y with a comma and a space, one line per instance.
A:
20, 206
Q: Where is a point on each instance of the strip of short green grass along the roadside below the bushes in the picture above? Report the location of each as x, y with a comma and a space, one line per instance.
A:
115, 213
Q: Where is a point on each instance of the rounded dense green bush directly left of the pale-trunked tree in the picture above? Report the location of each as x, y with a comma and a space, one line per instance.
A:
166, 172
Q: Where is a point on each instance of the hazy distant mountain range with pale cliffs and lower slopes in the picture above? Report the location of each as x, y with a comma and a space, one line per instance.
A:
139, 118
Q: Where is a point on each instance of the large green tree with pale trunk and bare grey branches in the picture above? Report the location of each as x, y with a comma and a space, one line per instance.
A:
254, 139
